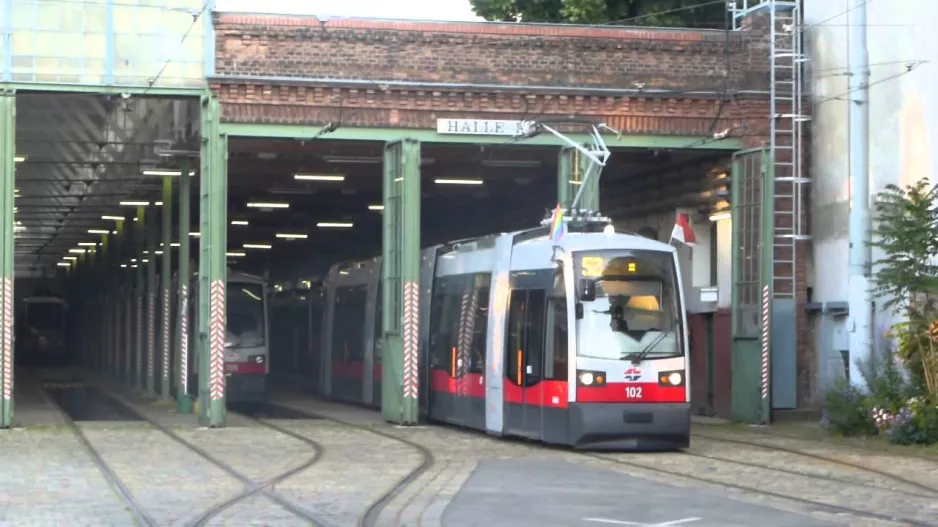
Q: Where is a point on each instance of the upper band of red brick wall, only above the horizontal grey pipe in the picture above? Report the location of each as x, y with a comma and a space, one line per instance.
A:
497, 54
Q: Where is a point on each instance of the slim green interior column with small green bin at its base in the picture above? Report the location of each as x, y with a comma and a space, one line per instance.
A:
182, 325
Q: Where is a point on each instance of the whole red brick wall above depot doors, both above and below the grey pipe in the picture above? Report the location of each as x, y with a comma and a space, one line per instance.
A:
267, 68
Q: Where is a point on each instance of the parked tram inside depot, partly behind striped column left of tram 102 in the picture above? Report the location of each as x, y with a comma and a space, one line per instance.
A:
247, 350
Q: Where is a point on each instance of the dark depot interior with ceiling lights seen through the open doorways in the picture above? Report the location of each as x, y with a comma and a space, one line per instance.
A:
288, 223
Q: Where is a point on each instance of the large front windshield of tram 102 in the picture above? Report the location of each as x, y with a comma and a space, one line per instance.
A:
632, 311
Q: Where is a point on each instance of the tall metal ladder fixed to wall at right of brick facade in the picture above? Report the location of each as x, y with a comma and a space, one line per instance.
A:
786, 141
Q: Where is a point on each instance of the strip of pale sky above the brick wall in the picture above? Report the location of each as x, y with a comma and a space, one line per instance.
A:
407, 9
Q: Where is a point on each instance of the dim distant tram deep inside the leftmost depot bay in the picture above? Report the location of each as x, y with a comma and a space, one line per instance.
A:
41, 330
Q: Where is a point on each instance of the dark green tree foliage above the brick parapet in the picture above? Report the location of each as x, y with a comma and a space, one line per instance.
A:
662, 13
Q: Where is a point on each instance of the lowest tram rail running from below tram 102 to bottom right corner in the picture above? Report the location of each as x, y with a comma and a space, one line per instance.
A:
818, 505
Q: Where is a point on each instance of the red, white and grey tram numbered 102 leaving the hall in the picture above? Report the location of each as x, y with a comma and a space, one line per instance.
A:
580, 341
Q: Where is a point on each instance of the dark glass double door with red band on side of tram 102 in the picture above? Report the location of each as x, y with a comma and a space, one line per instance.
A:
524, 363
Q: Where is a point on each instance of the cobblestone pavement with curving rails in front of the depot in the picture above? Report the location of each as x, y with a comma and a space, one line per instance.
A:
48, 479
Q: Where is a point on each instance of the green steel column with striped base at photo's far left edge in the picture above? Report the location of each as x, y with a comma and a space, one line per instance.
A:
7, 184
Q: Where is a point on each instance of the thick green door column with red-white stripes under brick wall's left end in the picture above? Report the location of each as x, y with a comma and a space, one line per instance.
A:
212, 265
